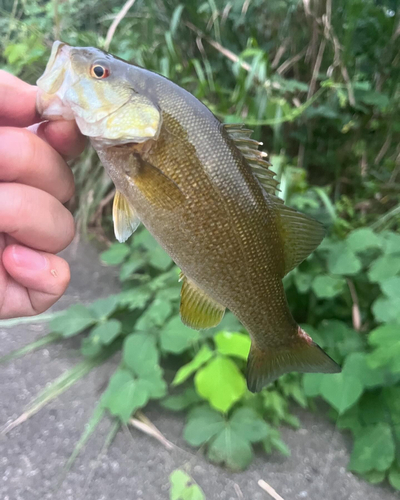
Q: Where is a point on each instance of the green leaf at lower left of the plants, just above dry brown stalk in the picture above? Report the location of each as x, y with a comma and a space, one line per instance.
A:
124, 395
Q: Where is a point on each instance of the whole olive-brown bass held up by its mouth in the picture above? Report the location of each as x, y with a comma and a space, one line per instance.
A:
203, 189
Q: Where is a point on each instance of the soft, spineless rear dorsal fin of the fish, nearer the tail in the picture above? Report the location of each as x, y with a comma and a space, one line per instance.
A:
300, 235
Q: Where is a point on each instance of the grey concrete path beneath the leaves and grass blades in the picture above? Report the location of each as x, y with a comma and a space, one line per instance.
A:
136, 467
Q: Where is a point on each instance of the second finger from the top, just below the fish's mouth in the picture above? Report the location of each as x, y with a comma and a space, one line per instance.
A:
27, 159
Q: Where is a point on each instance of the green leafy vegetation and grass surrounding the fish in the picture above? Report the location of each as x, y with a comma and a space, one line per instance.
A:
319, 83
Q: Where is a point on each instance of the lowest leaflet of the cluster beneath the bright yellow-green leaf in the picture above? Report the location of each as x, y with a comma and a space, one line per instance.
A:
230, 448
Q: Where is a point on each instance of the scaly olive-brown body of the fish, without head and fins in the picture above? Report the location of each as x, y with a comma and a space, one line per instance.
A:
224, 237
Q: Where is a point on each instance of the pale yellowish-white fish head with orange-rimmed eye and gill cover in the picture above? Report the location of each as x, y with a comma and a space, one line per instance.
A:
96, 89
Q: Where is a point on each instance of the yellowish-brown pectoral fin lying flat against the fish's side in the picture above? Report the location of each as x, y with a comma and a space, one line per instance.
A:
157, 188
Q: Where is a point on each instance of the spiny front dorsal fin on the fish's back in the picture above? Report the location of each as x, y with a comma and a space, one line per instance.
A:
255, 158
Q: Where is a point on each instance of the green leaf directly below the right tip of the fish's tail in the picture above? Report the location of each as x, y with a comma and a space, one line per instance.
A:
341, 390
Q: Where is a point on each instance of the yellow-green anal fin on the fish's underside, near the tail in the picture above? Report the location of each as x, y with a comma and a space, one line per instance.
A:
197, 309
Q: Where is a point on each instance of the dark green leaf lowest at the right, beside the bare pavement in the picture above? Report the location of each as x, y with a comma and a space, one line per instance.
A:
373, 449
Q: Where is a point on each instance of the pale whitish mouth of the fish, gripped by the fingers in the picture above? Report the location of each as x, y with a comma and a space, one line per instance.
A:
54, 83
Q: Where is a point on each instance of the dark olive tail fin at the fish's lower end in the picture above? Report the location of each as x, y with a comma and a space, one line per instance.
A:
303, 355
